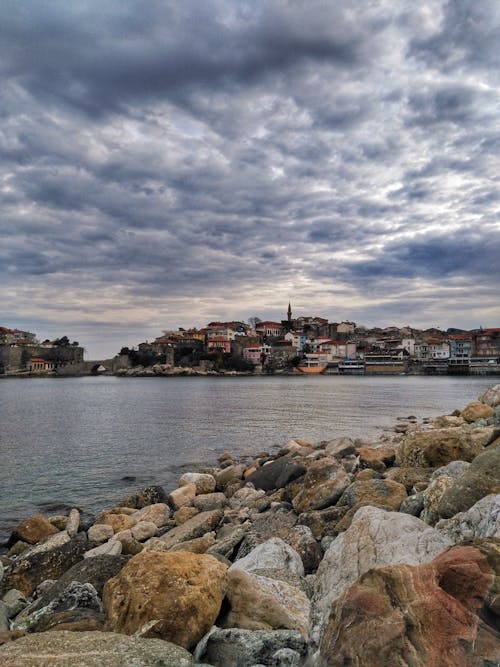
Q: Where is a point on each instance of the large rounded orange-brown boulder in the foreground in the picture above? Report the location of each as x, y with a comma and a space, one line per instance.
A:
174, 596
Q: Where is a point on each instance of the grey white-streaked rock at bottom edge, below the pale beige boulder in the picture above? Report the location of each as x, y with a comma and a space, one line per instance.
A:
249, 648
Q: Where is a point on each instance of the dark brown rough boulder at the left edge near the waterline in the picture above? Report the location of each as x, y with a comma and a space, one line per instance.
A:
28, 572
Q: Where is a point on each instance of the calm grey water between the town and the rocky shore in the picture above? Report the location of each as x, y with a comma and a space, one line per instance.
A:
72, 441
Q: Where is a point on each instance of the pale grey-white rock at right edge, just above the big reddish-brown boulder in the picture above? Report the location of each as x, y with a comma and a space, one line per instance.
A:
481, 520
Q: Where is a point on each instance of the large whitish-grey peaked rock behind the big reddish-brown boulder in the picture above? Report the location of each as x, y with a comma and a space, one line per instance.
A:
375, 538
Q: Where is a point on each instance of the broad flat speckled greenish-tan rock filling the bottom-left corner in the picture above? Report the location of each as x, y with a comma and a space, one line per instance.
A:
92, 649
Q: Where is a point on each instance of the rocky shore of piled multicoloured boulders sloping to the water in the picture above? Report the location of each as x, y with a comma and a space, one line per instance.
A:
341, 552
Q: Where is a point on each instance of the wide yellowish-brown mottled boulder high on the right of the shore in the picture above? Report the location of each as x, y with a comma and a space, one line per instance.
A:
437, 447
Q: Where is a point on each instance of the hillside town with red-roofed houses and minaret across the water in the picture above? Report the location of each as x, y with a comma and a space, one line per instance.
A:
303, 344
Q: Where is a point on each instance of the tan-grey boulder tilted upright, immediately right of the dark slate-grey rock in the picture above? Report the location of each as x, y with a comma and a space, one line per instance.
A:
323, 484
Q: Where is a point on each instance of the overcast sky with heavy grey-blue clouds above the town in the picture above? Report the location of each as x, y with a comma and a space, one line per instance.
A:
167, 164
